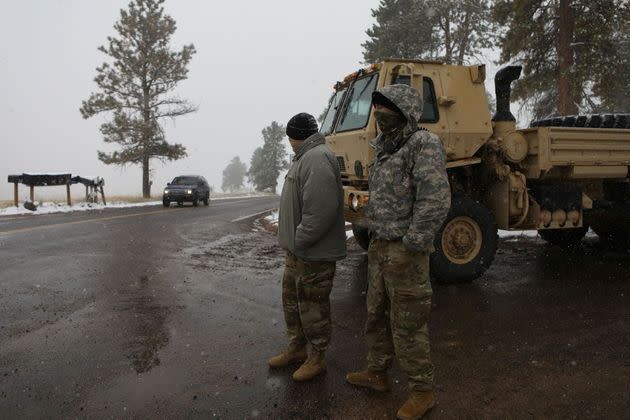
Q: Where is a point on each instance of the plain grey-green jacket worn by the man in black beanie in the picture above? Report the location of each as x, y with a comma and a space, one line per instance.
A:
311, 223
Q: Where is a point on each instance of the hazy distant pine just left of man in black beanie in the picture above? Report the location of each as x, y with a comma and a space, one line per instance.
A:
268, 160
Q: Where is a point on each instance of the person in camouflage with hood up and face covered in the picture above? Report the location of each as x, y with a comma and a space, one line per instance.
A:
409, 200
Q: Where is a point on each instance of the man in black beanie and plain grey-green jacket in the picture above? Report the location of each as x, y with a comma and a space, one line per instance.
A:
311, 229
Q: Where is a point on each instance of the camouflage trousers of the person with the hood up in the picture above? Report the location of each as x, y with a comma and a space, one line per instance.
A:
398, 307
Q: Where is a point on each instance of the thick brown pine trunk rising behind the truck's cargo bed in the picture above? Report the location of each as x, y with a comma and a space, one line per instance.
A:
566, 102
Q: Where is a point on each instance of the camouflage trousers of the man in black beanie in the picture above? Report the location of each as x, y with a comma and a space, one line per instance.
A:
306, 287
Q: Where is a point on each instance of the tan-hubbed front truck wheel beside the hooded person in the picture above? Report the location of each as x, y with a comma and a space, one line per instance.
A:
466, 243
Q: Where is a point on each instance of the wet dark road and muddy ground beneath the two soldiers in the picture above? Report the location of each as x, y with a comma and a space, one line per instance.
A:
145, 313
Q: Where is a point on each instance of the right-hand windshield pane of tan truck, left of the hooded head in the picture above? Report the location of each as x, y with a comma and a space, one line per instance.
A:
356, 110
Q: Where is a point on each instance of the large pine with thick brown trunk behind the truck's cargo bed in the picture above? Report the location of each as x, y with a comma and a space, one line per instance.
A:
572, 52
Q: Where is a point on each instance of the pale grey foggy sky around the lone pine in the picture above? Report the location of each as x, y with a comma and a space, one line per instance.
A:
256, 62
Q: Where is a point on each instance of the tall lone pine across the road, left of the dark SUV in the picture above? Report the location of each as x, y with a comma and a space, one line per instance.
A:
135, 88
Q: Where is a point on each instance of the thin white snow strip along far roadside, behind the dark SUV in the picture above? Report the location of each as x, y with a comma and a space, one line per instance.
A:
48, 207
